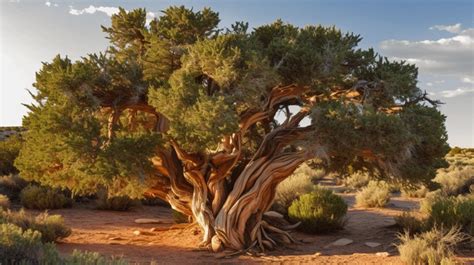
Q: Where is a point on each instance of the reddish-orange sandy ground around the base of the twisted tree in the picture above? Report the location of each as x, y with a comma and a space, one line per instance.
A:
112, 233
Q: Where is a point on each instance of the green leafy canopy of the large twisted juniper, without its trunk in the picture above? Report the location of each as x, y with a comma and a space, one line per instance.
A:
202, 80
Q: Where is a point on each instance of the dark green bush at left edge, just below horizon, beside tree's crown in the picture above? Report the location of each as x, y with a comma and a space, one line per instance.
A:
9, 150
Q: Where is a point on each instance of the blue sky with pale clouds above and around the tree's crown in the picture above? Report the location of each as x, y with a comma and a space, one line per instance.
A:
438, 36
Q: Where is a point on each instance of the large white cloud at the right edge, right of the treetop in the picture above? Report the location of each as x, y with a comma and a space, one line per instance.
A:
451, 56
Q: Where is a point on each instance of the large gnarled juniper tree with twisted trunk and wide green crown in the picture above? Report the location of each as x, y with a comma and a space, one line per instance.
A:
212, 120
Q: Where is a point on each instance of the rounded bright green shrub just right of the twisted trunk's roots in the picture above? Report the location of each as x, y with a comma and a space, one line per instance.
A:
318, 211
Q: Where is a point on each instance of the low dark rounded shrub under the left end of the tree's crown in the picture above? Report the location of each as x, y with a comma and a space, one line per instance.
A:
41, 198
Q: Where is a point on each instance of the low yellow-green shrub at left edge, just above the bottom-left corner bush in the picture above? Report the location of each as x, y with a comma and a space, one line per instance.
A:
51, 227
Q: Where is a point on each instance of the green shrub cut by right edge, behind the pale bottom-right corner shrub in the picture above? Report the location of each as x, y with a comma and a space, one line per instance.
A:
453, 211
